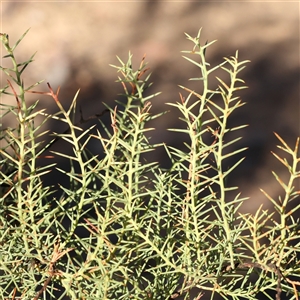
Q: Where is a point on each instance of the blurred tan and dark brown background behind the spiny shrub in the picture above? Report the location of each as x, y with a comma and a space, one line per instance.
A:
76, 42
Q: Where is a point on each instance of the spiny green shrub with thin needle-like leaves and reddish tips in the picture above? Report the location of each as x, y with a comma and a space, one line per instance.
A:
124, 227
